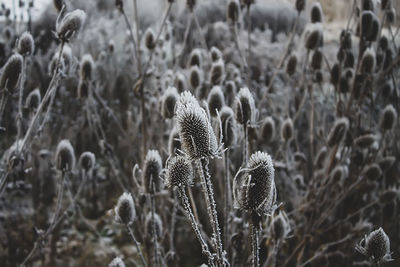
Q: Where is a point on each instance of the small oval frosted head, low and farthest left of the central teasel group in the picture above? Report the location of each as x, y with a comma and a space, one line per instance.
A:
125, 209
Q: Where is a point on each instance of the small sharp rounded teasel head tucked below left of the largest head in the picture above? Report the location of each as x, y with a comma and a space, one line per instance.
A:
179, 172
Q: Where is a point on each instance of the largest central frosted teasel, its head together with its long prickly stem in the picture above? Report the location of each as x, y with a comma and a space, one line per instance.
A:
199, 143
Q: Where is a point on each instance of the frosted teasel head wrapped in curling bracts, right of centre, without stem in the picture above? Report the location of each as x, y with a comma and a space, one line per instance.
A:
254, 187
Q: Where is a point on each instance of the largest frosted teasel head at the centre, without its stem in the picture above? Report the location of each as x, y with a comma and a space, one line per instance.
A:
195, 131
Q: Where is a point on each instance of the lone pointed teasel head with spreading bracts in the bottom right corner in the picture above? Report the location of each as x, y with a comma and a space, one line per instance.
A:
376, 246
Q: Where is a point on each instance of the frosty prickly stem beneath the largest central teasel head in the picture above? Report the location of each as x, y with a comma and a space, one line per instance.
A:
211, 208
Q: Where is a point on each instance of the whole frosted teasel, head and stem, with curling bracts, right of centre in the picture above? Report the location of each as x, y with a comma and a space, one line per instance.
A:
255, 192
